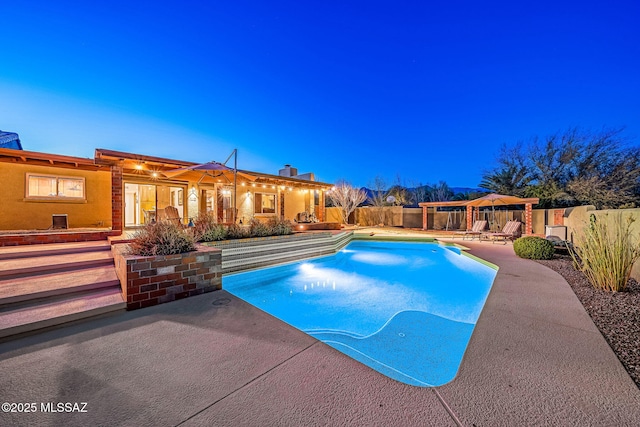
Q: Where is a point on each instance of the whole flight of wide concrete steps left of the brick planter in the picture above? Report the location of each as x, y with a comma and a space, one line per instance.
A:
51, 284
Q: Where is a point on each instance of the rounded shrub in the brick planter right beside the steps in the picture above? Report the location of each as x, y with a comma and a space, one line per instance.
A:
161, 238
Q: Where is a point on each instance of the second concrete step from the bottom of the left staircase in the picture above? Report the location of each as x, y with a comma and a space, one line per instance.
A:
20, 290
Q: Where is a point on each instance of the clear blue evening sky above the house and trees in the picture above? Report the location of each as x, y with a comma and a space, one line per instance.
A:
425, 91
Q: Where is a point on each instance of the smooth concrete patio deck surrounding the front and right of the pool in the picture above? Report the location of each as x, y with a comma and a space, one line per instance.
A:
535, 358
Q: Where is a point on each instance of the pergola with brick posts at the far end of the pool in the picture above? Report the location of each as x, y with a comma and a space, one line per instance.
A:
488, 200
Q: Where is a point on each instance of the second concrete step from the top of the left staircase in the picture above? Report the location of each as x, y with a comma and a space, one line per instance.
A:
33, 266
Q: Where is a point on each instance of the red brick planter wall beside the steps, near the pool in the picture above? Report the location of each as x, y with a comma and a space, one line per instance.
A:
153, 280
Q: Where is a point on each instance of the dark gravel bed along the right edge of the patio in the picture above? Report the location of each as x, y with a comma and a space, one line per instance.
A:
616, 314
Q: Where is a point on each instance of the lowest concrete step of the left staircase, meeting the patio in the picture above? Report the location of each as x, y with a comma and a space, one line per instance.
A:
56, 313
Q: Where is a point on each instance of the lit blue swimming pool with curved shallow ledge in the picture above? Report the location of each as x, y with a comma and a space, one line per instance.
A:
404, 309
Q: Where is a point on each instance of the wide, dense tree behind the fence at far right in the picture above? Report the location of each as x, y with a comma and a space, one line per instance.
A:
569, 168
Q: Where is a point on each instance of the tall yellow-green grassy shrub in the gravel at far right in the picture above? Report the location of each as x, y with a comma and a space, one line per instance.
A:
606, 254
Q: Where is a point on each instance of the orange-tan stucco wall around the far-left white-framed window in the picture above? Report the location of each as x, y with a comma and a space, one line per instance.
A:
20, 214
